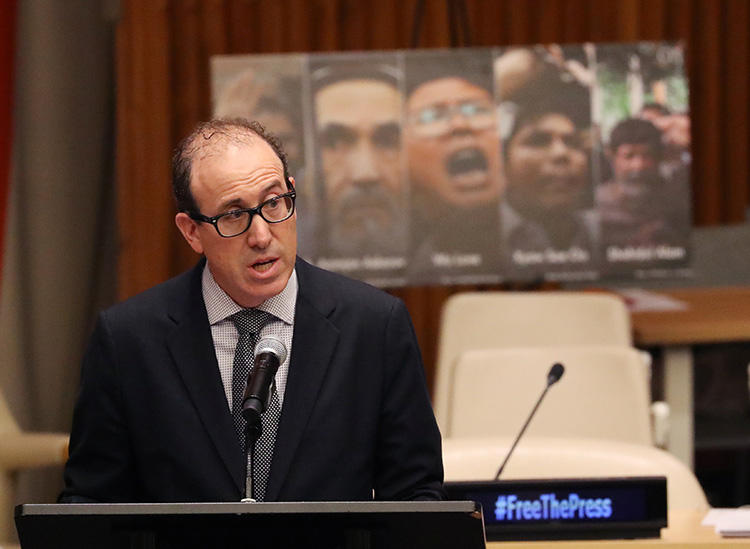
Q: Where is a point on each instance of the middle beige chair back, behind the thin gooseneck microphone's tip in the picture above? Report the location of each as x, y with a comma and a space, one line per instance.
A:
603, 394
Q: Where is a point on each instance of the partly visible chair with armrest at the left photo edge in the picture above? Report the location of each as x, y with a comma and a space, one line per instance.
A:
19, 451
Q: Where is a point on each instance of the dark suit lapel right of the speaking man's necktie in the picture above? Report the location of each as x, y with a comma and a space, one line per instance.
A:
314, 341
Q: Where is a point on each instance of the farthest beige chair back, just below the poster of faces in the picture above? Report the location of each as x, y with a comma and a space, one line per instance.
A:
494, 320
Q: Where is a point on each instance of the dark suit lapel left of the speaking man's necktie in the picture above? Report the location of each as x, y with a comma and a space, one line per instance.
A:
192, 349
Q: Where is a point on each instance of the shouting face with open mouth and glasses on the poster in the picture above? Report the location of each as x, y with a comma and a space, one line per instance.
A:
452, 141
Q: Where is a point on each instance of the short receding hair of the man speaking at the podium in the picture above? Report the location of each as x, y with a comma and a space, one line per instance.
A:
232, 129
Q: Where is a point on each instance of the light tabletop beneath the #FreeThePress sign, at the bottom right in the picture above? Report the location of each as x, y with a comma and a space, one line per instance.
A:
684, 530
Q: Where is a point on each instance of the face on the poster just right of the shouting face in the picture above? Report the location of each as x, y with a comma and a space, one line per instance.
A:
547, 165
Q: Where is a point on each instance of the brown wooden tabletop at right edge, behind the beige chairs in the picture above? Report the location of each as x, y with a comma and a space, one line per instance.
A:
713, 315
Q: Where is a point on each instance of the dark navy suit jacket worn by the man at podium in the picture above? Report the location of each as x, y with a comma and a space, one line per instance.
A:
152, 424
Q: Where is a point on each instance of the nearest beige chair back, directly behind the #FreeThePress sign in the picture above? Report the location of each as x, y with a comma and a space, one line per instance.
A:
542, 457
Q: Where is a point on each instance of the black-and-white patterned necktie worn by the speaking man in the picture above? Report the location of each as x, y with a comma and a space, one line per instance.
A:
249, 322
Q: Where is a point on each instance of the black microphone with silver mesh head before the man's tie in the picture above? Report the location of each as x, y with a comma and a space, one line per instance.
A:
270, 352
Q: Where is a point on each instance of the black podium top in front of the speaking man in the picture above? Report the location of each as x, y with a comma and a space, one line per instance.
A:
329, 525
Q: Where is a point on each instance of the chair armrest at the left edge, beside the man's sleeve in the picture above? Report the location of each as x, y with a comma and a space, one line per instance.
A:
25, 450
